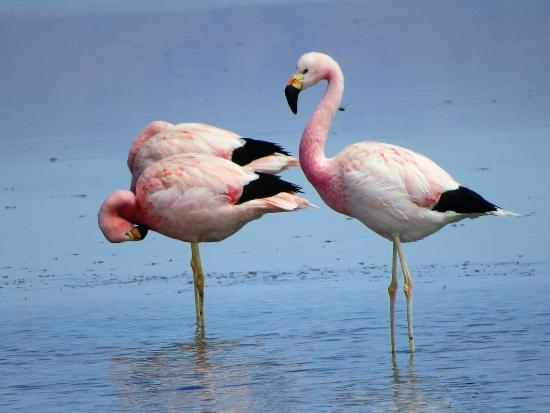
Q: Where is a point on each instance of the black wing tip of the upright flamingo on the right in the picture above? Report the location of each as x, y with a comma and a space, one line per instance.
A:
464, 201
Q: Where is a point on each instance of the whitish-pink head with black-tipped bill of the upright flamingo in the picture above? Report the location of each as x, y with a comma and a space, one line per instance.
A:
311, 68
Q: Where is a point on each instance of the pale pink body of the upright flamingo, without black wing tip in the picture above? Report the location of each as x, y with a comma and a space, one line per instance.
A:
390, 189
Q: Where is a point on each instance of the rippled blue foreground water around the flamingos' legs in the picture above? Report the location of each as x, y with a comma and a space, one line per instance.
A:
315, 341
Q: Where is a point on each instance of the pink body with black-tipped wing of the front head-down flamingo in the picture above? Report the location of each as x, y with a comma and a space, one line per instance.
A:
197, 197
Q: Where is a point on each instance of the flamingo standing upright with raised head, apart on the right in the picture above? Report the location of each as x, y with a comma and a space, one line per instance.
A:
399, 194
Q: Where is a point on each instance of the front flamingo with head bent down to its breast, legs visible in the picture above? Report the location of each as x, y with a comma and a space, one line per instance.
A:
195, 198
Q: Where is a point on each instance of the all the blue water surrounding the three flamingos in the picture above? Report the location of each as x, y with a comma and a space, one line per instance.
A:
297, 312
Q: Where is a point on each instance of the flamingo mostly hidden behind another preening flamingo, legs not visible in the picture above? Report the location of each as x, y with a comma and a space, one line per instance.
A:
160, 139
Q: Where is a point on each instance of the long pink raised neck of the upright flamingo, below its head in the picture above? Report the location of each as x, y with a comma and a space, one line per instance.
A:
312, 146
